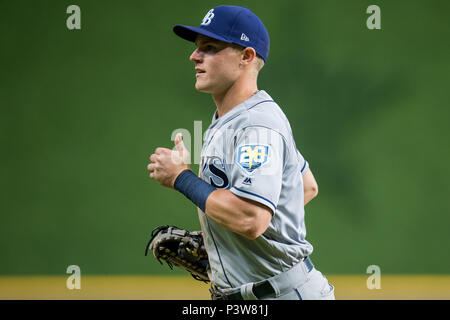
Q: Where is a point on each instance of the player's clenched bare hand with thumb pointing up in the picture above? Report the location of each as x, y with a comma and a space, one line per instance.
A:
167, 164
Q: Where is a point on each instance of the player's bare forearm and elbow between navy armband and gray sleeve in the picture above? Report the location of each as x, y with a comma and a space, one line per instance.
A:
236, 214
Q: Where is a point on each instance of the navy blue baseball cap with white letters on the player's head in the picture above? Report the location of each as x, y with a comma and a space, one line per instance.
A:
230, 24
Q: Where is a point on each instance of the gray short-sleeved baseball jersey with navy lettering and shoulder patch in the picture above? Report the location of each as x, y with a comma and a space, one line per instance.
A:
251, 151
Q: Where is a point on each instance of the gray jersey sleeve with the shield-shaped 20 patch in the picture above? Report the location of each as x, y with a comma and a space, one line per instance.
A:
257, 168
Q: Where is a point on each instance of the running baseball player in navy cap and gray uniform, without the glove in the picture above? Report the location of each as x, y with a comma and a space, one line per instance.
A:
253, 182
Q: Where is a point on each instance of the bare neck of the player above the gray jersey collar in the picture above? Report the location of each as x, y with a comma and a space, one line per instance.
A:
234, 96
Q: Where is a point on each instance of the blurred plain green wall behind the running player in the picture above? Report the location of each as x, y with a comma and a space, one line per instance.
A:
82, 110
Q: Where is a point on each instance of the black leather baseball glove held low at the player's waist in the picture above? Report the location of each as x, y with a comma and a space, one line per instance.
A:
181, 248
